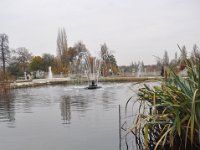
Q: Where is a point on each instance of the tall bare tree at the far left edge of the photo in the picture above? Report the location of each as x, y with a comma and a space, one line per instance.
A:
4, 50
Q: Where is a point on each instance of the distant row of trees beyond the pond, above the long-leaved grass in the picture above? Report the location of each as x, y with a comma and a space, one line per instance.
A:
176, 63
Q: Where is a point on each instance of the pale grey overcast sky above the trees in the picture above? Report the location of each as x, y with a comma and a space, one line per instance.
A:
133, 29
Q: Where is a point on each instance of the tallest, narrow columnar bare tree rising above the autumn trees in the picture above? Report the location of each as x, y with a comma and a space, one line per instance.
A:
62, 45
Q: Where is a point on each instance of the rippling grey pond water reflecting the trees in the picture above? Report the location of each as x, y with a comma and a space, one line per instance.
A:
62, 117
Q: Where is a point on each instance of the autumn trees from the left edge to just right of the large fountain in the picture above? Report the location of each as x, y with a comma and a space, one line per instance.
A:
14, 62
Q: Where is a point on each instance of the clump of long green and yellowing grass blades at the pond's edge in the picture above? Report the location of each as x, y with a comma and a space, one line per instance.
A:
169, 114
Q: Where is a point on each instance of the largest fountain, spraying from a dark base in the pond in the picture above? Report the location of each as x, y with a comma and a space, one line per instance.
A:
92, 69
